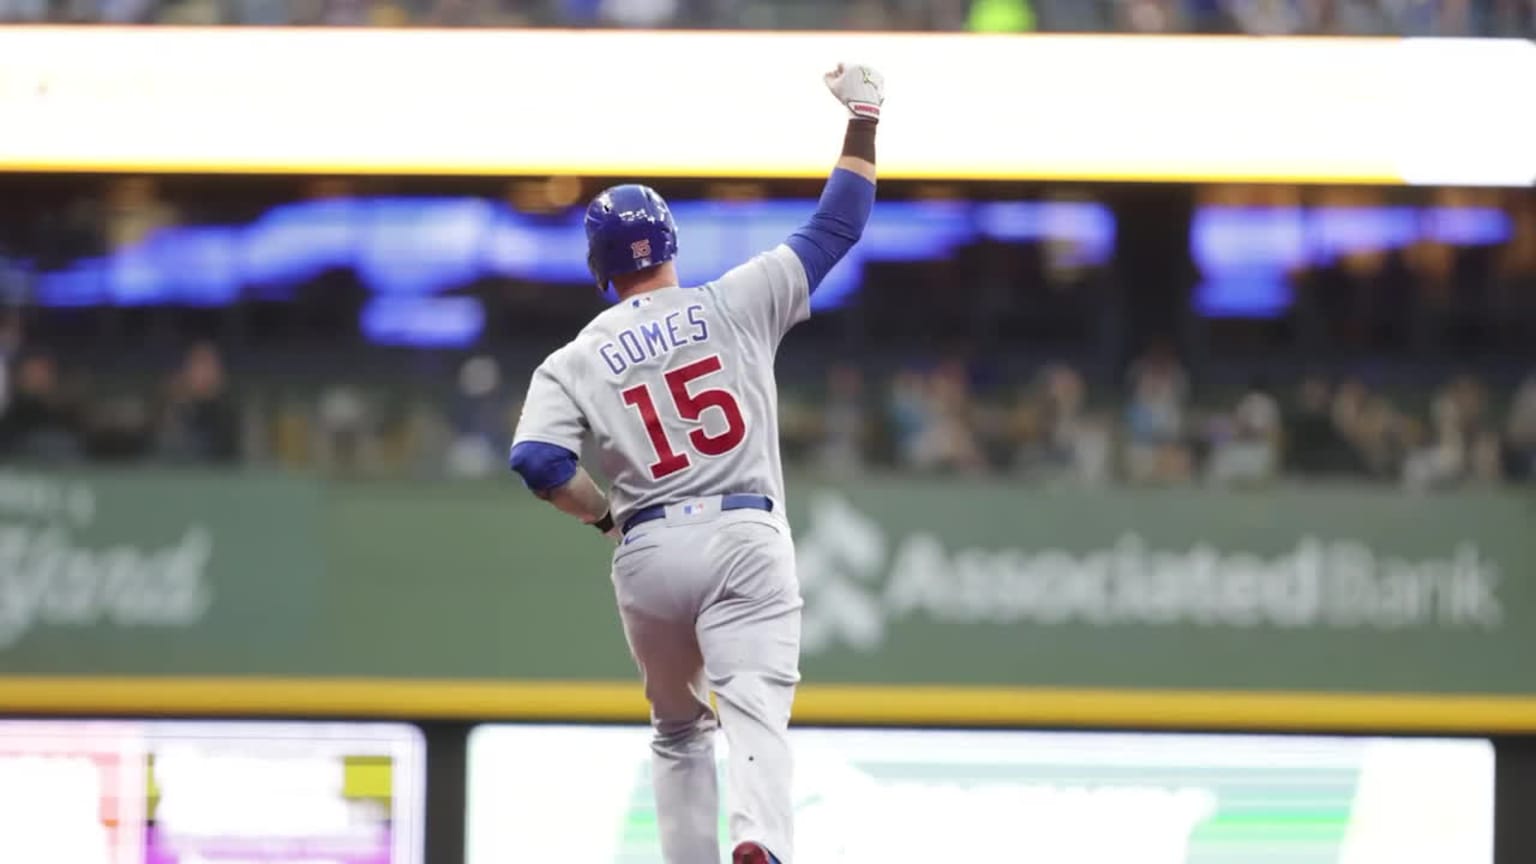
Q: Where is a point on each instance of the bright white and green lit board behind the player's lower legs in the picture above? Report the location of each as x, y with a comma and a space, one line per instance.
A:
584, 796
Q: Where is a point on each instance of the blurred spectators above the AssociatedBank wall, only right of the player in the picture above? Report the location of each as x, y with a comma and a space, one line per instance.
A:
1150, 430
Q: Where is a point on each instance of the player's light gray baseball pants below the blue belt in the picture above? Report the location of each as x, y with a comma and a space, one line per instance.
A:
712, 605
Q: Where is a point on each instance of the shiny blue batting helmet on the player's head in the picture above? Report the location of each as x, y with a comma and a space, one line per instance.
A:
629, 228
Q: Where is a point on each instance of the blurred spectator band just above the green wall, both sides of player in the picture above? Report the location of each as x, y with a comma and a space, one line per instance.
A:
947, 419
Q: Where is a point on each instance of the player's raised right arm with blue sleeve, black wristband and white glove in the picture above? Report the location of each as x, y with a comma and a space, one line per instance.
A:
849, 198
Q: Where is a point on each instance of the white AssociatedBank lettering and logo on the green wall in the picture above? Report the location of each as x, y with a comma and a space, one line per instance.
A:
858, 579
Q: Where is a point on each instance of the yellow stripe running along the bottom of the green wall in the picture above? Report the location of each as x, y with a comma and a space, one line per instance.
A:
815, 705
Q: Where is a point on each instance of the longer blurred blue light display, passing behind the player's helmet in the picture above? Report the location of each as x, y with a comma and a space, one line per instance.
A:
412, 251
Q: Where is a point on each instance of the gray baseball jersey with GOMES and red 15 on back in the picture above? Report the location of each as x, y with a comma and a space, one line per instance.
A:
677, 388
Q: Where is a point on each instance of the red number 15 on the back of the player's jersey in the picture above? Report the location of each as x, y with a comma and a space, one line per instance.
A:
689, 408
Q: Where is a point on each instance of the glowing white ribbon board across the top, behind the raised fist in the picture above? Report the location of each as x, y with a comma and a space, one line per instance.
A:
752, 105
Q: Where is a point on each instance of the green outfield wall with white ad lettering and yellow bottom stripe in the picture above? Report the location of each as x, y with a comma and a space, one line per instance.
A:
925, 602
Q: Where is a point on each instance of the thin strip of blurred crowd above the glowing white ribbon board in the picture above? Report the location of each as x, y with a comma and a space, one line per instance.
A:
1348, 18
